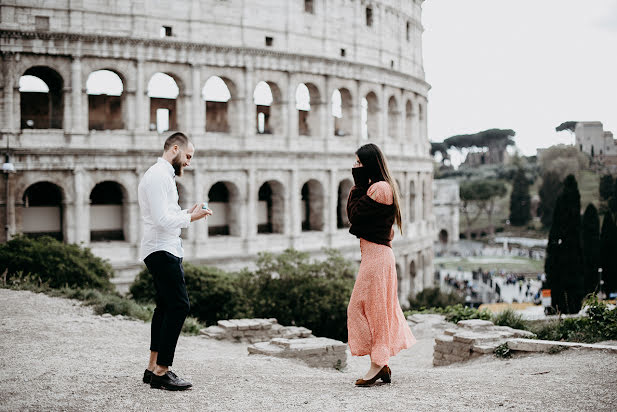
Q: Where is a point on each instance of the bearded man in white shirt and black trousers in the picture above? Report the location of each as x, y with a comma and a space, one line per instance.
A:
161, 250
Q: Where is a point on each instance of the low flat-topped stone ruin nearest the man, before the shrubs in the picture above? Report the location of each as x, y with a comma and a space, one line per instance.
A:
254, 330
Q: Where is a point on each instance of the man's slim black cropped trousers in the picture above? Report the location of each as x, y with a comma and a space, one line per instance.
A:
172, 304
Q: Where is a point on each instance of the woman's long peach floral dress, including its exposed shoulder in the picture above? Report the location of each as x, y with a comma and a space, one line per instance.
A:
376, 325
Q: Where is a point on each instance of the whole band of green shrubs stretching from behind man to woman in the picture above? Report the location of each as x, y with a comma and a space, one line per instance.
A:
288, 287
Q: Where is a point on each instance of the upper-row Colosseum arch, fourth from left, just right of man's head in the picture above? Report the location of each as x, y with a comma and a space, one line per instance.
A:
222, 105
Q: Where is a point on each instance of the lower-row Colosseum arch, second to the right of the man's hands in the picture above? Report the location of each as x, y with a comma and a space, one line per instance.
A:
271, 207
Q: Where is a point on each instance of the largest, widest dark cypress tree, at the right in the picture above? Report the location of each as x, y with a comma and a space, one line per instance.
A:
564, 261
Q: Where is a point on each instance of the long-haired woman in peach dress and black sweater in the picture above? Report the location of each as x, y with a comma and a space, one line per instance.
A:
375, 322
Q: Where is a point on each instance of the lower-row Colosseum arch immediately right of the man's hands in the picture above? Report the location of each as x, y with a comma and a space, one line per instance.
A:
224, 199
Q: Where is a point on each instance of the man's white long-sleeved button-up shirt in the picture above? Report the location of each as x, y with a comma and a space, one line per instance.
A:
162, 217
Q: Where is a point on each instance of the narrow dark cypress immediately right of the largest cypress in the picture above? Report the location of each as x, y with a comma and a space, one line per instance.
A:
591, 247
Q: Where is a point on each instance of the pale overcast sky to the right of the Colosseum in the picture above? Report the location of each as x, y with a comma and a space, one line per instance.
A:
526, 65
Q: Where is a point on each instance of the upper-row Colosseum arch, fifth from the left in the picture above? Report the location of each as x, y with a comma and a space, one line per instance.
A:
268, 108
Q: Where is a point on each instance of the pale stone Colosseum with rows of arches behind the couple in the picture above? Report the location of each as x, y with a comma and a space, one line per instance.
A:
275, 94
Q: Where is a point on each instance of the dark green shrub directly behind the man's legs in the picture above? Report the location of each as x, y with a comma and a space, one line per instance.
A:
213, 293
